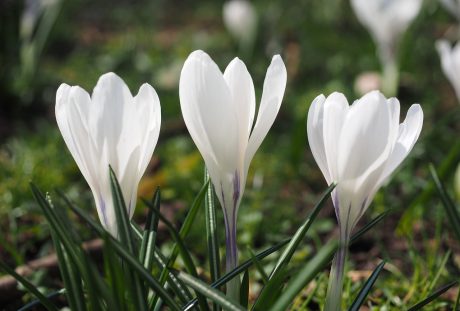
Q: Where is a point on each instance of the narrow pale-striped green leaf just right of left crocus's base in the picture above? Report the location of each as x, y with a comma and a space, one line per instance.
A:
147, 250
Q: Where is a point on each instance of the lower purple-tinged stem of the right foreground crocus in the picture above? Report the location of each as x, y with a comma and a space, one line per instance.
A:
335, 286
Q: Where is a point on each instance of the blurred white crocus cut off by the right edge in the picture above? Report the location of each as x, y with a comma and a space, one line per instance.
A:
450, 62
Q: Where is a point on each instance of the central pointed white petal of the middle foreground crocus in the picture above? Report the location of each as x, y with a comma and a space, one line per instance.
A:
241, 87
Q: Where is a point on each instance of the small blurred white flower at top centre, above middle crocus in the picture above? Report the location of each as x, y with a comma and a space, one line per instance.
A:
240, 18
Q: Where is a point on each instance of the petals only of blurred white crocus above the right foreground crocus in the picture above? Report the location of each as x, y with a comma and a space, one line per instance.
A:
387, 20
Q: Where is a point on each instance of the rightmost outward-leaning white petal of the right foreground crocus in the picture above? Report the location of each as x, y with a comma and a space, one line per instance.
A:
409, 132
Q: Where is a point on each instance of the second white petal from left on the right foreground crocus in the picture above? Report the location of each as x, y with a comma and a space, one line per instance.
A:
335, 111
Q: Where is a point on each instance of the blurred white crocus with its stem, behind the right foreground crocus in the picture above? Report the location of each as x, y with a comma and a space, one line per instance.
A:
387, 20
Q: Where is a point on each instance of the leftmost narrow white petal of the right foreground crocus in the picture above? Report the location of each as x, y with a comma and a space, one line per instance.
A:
315, 135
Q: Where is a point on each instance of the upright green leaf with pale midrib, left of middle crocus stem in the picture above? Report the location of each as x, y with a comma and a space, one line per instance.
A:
211, 231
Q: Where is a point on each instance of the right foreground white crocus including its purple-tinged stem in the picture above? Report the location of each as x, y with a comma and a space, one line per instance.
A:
357, 147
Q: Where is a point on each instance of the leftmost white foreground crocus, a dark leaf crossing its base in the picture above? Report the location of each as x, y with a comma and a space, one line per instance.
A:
110, 128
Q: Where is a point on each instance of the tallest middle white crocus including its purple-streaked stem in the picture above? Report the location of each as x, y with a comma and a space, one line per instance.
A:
218, 110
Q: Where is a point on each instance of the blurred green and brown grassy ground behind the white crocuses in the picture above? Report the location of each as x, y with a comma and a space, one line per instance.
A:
325, 49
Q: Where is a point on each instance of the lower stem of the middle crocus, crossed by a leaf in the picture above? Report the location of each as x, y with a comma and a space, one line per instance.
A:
233, 286
